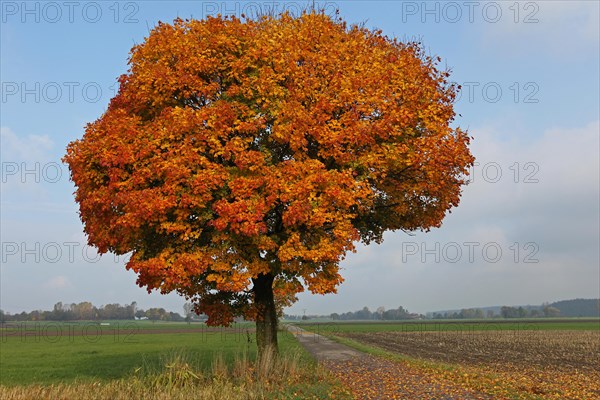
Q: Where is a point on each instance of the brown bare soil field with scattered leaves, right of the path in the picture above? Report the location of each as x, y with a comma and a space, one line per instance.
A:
508, 364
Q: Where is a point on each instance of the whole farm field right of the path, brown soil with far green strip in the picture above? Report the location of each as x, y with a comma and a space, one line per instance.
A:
523, 360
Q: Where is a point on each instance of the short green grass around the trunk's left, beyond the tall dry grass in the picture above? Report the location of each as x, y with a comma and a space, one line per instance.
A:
106, 356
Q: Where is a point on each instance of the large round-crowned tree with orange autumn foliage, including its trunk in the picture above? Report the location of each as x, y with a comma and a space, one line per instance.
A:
238, 166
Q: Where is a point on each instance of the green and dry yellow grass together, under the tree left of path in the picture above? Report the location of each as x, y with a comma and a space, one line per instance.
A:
171, 366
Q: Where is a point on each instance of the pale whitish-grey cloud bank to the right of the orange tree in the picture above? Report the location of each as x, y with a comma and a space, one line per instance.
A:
555, 223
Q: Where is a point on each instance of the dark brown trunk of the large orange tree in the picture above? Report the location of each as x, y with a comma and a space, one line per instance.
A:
266, 318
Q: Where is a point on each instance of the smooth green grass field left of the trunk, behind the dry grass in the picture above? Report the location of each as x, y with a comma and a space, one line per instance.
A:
62, 352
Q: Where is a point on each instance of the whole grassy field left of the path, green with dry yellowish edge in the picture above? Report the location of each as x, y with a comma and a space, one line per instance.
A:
145, 360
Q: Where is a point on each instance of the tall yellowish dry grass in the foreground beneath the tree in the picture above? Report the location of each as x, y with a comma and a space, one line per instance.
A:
271, 378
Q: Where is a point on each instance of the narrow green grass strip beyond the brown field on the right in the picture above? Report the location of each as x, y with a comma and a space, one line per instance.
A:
451, 325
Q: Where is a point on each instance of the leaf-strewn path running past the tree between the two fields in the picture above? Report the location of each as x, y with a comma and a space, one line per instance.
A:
370, 377
